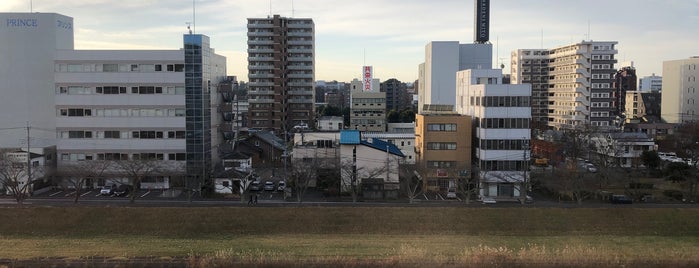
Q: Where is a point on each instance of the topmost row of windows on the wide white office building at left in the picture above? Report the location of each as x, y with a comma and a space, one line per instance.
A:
113, 67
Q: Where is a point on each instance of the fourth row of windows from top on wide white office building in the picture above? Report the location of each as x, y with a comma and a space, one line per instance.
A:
116, 134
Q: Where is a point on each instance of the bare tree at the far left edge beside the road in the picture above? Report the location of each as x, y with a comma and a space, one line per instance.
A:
16, 177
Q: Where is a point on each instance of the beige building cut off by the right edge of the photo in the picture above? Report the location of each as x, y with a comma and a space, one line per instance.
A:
680, 99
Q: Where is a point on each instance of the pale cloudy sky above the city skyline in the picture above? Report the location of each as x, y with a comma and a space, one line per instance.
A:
389, 35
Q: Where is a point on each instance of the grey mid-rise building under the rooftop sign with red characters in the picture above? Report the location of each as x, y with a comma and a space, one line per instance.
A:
367, 107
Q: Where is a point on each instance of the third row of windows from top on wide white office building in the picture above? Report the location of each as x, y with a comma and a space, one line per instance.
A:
177, 112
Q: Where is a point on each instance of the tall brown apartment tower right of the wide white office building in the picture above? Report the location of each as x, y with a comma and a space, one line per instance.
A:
281, 72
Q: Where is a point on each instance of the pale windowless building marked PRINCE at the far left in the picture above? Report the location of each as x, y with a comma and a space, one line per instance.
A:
29, 43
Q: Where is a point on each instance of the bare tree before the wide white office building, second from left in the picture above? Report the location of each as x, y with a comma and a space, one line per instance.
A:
77, 173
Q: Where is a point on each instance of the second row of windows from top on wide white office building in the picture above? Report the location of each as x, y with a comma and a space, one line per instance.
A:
115, 90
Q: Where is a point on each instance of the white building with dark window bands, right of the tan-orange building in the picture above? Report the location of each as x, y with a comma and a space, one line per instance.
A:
502, 118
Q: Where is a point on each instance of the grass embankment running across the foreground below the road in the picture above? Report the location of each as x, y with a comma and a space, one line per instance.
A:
389, 237
